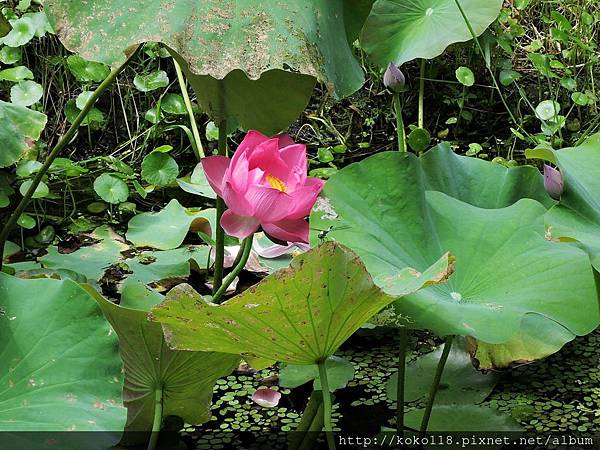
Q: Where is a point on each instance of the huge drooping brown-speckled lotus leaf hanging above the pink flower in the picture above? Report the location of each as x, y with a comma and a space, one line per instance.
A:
269, 52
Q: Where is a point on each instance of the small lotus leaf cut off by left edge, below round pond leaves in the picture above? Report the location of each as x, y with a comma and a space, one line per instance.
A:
19, 128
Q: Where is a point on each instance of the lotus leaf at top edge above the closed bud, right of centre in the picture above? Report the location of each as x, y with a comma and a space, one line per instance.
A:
402, 30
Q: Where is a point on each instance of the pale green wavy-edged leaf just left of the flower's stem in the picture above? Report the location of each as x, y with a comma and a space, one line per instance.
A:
164, 230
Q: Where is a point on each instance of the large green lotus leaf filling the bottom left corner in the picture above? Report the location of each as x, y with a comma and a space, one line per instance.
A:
60, 368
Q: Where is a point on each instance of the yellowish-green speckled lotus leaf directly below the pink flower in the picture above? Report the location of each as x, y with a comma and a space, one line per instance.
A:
299, 315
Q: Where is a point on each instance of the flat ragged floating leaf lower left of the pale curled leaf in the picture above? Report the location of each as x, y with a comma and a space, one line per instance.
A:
92, 260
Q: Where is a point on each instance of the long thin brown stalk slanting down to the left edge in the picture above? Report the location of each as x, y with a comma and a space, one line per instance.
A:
62, 143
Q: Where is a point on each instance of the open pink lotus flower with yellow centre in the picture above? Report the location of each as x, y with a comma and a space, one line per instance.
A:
265, 184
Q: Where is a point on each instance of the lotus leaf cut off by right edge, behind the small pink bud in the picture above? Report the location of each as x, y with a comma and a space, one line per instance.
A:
577, 216
